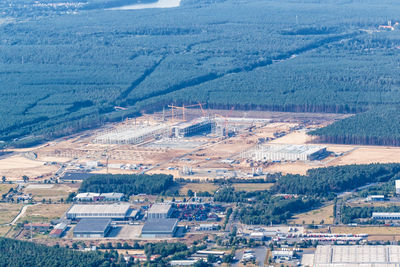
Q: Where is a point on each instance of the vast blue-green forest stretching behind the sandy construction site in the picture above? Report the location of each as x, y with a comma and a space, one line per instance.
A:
64, 67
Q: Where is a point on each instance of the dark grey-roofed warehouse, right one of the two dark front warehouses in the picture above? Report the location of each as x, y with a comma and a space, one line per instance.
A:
159, 228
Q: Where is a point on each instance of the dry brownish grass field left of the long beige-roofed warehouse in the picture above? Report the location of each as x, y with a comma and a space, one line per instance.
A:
45, 212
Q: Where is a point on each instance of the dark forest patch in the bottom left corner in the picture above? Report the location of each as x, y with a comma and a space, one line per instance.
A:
15, 253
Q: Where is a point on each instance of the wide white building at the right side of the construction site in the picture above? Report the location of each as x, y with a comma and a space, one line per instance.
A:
285, 152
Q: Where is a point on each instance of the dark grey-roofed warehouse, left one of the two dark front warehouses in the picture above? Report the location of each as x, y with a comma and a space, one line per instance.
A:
92, 228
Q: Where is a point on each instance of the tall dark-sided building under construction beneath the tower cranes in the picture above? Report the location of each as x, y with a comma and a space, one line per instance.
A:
185, 129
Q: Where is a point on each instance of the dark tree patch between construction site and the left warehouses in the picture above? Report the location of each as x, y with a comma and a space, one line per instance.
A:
128, 184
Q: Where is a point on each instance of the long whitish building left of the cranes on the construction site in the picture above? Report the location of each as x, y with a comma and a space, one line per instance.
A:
132, 135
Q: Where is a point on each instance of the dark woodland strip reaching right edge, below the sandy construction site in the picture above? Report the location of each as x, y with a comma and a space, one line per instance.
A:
329, 181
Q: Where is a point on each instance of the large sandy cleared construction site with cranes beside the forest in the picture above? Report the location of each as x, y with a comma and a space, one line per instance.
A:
193, 143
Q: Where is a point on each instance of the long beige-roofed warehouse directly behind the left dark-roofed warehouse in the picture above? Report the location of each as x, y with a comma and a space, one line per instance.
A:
112, 211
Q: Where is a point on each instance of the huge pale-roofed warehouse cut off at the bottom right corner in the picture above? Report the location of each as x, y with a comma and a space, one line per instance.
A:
356, 256
